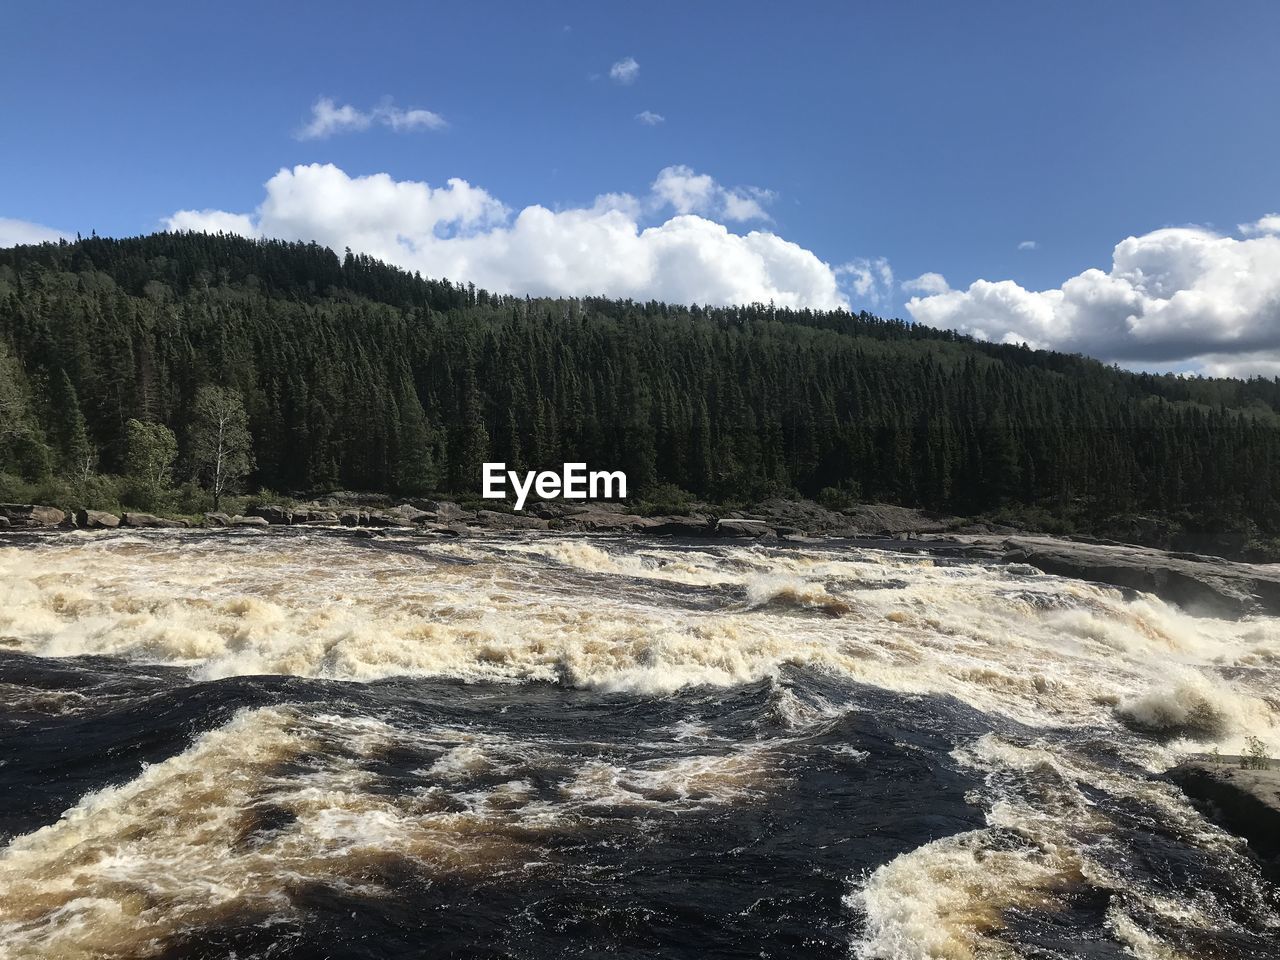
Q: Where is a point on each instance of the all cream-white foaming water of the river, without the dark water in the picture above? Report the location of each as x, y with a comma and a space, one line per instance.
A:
1049, 653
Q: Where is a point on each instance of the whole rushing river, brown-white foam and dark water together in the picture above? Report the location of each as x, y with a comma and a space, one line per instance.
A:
314, 746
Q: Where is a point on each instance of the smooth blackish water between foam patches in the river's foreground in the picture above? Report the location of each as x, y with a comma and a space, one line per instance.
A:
674, 875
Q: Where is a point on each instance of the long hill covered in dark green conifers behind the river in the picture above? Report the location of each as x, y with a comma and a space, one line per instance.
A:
359, 376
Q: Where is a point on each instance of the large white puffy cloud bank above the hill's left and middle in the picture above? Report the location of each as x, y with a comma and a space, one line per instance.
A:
463, 232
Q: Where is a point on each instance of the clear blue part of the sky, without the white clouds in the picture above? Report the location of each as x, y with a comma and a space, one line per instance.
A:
934, 138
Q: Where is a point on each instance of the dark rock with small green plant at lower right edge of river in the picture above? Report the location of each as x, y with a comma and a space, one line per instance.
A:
1247, 803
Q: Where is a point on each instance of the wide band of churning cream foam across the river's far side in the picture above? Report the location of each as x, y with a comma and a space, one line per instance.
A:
1039, 650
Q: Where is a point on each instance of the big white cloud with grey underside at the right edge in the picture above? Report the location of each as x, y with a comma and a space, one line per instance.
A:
1180, 294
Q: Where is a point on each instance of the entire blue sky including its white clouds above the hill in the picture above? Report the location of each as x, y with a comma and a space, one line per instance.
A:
1092, 177
